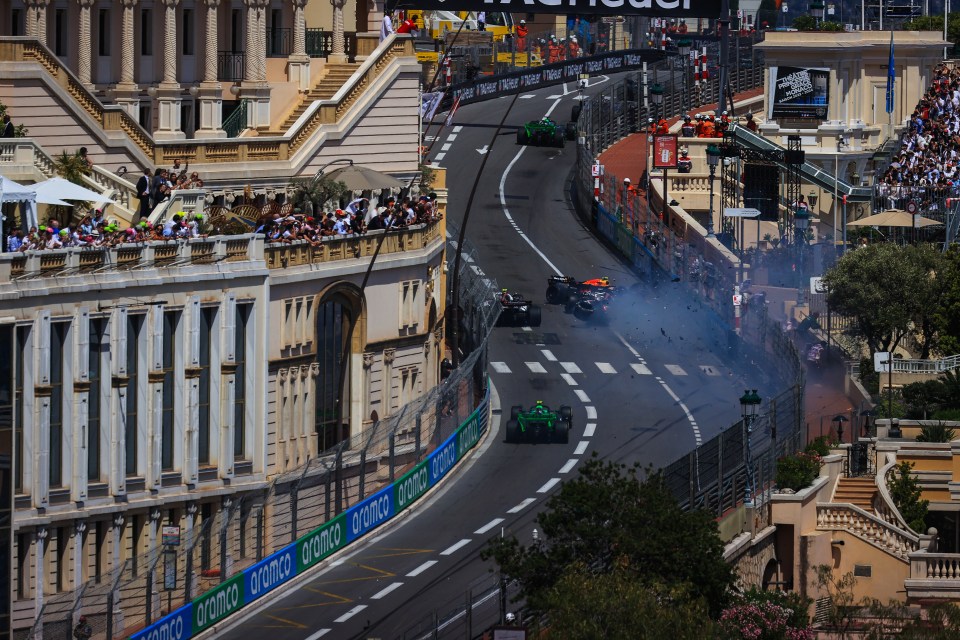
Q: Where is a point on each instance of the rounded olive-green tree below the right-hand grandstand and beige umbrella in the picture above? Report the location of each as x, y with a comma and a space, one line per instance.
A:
876, 287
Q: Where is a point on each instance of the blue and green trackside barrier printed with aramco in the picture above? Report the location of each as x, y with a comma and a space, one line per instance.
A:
280, 567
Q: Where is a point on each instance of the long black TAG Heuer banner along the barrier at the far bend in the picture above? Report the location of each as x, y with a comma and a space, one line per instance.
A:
569, 71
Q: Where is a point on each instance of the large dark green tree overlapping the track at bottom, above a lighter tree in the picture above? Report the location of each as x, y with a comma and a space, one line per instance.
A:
608, 517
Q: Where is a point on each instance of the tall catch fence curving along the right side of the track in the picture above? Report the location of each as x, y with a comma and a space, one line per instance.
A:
716, 474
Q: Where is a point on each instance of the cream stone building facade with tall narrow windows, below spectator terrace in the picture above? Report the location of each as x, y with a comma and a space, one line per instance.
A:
167, 384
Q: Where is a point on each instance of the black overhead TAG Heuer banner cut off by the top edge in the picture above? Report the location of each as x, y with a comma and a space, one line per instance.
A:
655, 8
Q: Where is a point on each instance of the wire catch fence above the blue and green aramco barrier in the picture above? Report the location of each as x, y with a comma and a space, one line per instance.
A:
251, 526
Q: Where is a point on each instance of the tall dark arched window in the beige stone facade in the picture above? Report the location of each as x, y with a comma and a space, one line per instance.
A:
334, 318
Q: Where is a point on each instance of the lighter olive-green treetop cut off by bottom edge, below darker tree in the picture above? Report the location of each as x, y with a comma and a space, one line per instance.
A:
584, 605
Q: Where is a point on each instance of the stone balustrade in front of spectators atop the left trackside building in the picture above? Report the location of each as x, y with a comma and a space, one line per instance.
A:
198, 251
